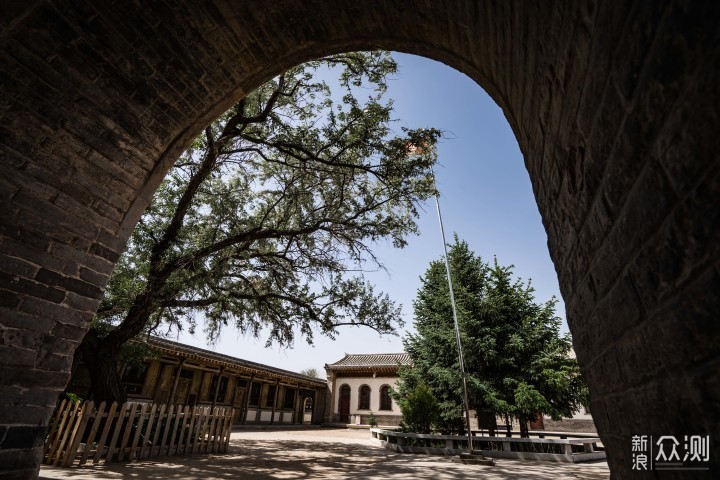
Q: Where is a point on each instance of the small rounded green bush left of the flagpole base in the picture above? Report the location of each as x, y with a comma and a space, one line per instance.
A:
419, 407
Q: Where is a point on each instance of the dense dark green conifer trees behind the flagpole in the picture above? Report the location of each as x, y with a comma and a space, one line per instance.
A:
517, 362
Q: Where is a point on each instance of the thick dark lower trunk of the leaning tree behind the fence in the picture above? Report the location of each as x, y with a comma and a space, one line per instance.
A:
102, 360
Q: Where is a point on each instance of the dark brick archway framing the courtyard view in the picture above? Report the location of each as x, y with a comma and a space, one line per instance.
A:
614, 108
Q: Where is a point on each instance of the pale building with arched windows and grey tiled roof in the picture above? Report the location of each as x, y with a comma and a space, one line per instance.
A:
359, 389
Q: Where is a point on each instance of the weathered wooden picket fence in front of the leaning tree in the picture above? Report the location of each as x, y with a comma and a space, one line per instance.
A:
79, 432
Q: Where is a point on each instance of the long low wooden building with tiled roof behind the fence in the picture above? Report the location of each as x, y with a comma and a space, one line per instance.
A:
186, 375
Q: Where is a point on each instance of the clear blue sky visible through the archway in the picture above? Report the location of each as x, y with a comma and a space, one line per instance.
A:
486, 198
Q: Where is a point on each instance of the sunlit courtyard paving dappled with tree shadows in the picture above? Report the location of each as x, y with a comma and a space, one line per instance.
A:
321, 453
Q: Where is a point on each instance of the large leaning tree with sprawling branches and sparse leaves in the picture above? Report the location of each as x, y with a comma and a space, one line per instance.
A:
268, 220
